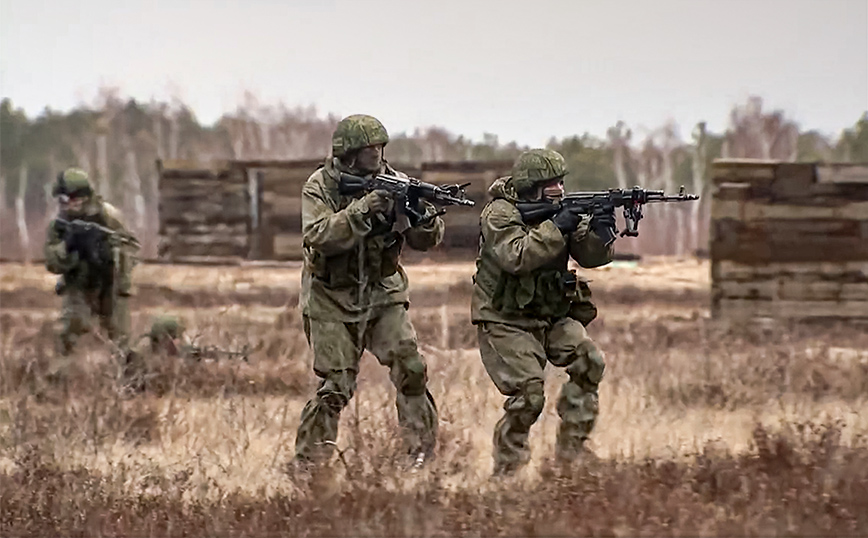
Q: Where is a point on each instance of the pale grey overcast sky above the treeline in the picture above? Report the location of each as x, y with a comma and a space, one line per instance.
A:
522, 70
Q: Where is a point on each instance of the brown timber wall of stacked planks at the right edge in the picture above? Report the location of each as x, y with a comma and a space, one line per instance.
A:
789, 240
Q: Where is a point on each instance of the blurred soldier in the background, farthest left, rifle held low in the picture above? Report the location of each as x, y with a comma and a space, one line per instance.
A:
95, 267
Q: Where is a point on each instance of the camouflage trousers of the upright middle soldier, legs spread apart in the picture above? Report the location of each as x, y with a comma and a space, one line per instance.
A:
337, 348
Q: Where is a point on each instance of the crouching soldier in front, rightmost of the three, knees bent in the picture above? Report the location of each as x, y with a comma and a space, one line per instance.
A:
529, 309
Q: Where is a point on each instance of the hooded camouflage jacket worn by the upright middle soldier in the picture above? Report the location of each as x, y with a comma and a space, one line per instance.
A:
351, 261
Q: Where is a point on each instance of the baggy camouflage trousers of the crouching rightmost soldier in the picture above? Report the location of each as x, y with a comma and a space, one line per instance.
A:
515, 359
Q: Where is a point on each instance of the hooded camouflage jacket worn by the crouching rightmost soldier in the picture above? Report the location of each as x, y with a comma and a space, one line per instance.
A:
520, 268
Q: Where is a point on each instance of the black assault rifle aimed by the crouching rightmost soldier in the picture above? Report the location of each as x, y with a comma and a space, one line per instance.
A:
588, 203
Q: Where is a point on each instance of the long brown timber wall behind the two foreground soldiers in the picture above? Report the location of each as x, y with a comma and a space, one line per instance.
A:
228, 211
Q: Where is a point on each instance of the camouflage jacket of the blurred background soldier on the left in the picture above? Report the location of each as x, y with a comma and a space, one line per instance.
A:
77, 272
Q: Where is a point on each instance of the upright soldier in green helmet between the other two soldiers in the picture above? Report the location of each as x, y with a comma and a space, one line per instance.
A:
354, 293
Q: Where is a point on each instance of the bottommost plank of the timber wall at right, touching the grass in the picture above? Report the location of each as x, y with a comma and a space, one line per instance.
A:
746, 309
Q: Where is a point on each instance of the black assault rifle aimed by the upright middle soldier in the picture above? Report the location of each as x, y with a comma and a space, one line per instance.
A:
408, 191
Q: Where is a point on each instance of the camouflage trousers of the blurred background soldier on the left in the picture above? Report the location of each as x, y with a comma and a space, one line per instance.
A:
79, 307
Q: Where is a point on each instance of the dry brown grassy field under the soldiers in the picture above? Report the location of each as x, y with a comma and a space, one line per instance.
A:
705, 429
